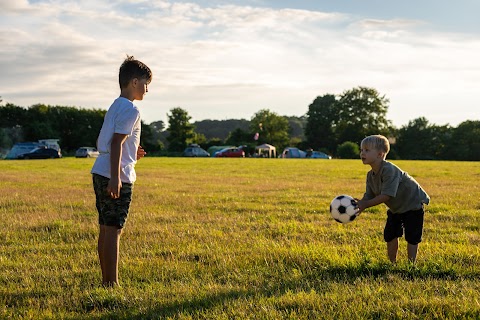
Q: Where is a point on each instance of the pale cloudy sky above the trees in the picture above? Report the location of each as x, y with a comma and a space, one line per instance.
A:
230, 59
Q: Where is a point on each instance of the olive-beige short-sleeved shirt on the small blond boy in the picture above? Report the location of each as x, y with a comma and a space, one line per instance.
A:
405, 192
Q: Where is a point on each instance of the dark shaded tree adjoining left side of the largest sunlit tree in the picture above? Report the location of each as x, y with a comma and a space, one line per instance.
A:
322, 117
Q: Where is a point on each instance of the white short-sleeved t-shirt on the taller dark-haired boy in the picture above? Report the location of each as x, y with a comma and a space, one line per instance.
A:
122, 117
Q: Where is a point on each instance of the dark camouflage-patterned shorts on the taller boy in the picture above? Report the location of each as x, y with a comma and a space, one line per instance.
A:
111, 212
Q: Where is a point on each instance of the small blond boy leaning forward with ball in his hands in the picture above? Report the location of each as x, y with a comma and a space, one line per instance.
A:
386, 183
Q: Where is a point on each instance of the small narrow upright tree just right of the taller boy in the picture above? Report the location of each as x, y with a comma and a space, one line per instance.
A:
180, 129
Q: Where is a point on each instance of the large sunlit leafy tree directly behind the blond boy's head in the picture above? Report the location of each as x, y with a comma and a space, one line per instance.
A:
361, 112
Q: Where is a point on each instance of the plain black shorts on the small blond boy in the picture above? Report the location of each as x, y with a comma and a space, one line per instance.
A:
410, 222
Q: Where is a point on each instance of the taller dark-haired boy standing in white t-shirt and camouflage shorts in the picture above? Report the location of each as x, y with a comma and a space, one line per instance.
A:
114, 170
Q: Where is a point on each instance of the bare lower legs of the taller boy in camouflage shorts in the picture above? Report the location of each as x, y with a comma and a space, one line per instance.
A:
111, 246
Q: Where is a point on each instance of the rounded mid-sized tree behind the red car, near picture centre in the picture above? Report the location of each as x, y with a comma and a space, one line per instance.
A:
271, 128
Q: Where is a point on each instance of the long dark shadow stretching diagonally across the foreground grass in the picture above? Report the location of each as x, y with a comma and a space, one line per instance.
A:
113, 307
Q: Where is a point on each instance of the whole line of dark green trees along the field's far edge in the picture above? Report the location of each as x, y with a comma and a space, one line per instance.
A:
334, 123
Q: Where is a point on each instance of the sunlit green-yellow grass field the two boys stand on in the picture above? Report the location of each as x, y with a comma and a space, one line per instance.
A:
235, 239
